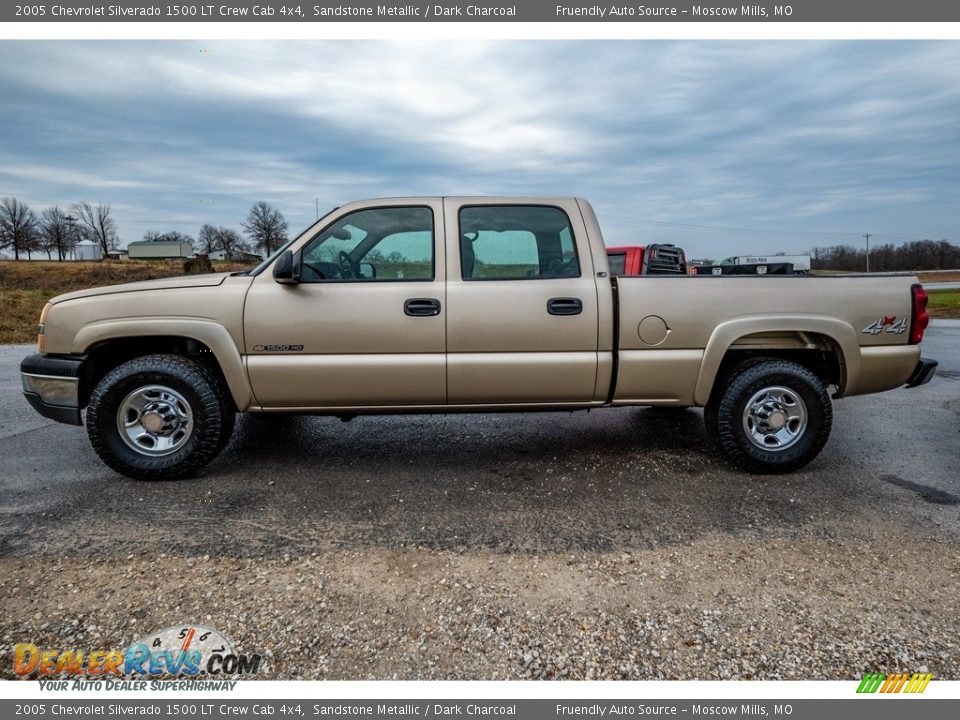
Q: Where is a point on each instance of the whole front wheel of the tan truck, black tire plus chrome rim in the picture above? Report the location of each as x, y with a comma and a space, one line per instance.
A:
159, 417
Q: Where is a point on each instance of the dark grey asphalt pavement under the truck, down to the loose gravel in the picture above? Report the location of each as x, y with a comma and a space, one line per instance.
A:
554, 481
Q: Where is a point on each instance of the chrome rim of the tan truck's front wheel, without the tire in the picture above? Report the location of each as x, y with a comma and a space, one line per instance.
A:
155, 420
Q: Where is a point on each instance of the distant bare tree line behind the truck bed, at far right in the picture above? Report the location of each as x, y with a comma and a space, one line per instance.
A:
914, 255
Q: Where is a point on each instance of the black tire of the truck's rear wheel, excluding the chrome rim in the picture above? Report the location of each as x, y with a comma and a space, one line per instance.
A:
724, 415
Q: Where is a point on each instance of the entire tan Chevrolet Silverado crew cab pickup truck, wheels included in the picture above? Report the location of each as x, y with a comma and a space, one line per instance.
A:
450, 304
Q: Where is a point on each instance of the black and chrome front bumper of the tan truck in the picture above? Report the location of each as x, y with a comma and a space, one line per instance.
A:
51, 384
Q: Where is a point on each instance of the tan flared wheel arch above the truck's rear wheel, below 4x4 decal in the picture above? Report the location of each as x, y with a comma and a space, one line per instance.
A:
826, 345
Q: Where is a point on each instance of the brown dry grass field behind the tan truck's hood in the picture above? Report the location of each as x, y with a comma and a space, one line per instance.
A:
26, 286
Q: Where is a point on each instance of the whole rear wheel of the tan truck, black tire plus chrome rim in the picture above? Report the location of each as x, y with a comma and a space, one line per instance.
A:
772, 416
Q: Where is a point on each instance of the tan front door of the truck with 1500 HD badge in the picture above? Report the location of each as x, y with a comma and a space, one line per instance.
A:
366, 324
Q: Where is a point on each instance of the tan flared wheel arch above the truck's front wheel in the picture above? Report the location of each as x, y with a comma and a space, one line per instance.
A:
109, 343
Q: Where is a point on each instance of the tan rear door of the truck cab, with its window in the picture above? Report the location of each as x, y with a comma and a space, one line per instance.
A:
522, 314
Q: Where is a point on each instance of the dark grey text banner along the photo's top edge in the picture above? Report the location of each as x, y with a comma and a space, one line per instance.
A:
540, 11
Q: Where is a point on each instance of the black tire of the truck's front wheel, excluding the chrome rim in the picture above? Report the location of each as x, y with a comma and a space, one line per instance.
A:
212, 415
